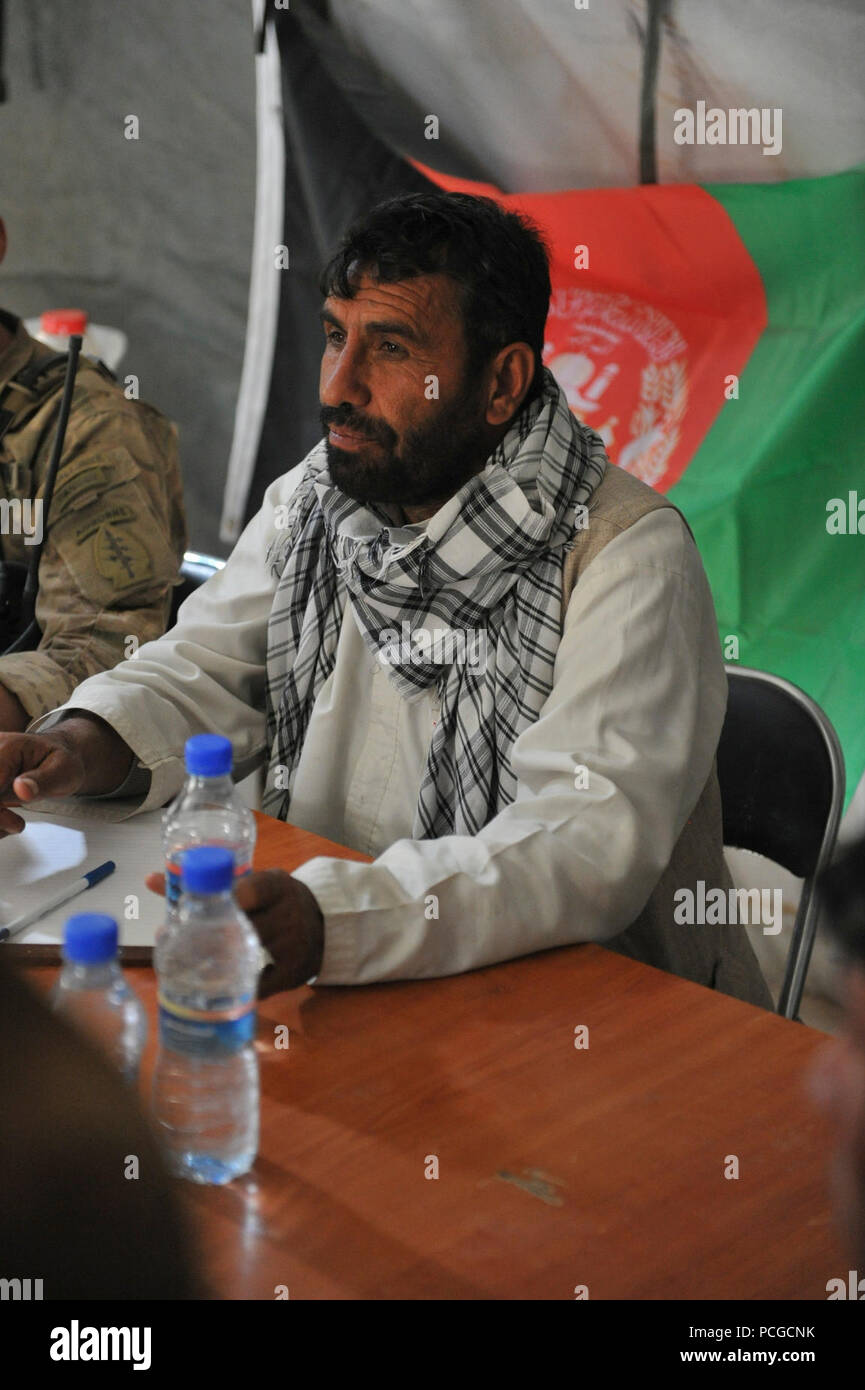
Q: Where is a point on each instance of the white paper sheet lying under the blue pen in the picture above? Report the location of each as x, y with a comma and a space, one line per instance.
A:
52, 853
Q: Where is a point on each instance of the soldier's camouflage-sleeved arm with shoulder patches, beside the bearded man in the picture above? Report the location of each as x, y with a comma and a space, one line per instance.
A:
115, 543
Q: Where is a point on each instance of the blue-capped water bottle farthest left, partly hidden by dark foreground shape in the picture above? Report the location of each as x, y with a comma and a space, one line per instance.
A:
94, 995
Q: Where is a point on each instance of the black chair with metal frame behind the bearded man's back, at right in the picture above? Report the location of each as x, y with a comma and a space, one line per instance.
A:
782, 789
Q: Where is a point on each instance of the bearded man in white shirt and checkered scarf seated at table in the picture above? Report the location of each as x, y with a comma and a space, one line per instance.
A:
460, 640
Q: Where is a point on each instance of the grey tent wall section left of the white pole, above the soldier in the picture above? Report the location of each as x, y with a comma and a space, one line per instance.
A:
151, 236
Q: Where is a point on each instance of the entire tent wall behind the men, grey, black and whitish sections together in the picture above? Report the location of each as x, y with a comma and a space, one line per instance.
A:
155, 236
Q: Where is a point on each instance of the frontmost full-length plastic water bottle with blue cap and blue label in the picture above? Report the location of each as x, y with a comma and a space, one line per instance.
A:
207, 1078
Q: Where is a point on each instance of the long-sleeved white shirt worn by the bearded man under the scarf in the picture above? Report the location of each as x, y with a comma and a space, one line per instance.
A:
638, 701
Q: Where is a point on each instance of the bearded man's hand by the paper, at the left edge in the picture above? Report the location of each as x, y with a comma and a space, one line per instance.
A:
83, 757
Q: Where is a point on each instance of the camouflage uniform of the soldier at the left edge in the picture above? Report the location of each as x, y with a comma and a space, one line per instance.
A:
116, 532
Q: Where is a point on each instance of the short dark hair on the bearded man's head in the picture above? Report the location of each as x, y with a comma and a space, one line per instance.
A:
499, 261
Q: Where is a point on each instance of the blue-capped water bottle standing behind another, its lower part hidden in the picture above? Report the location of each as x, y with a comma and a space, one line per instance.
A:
207, 812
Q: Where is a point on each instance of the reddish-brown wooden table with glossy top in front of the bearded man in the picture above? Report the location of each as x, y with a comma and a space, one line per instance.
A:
558, 1167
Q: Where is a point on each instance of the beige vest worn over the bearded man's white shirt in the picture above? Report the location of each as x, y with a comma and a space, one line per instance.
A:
718, 957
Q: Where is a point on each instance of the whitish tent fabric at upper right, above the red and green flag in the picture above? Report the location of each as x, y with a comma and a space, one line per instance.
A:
547, 97
